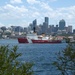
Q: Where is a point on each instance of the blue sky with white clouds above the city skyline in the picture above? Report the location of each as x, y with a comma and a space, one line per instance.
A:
23, 12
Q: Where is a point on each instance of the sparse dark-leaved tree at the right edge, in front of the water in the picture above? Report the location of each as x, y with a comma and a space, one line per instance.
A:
65, 61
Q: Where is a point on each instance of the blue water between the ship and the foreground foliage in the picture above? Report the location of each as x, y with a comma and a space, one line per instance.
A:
42, 55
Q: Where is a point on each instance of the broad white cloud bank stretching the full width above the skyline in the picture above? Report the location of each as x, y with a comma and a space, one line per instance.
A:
37, 9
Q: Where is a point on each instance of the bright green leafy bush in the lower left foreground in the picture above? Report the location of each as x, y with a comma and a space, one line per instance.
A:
9, 65
